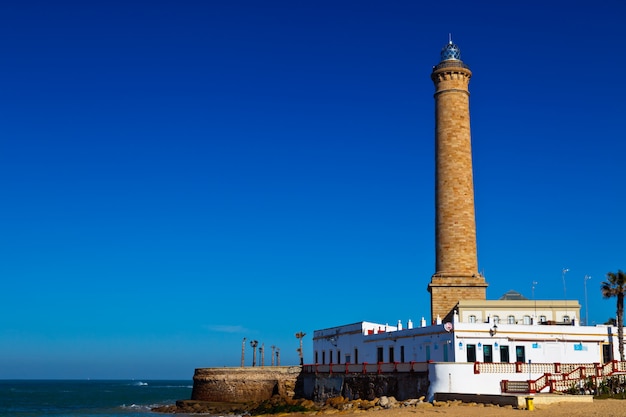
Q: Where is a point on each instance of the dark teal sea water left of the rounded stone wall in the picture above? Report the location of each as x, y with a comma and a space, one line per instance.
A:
89, 398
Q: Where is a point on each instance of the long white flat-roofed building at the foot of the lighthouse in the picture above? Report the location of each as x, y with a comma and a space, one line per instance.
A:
481, 349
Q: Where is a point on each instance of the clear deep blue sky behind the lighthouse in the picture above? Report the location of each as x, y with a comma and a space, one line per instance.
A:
176, 176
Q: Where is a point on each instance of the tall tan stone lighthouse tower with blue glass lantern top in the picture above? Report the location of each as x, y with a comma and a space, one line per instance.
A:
456, 274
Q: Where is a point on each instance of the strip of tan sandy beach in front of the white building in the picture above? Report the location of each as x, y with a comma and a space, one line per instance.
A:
606, 408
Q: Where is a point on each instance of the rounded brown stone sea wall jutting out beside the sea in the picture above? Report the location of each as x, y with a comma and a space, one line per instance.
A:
240, 385
